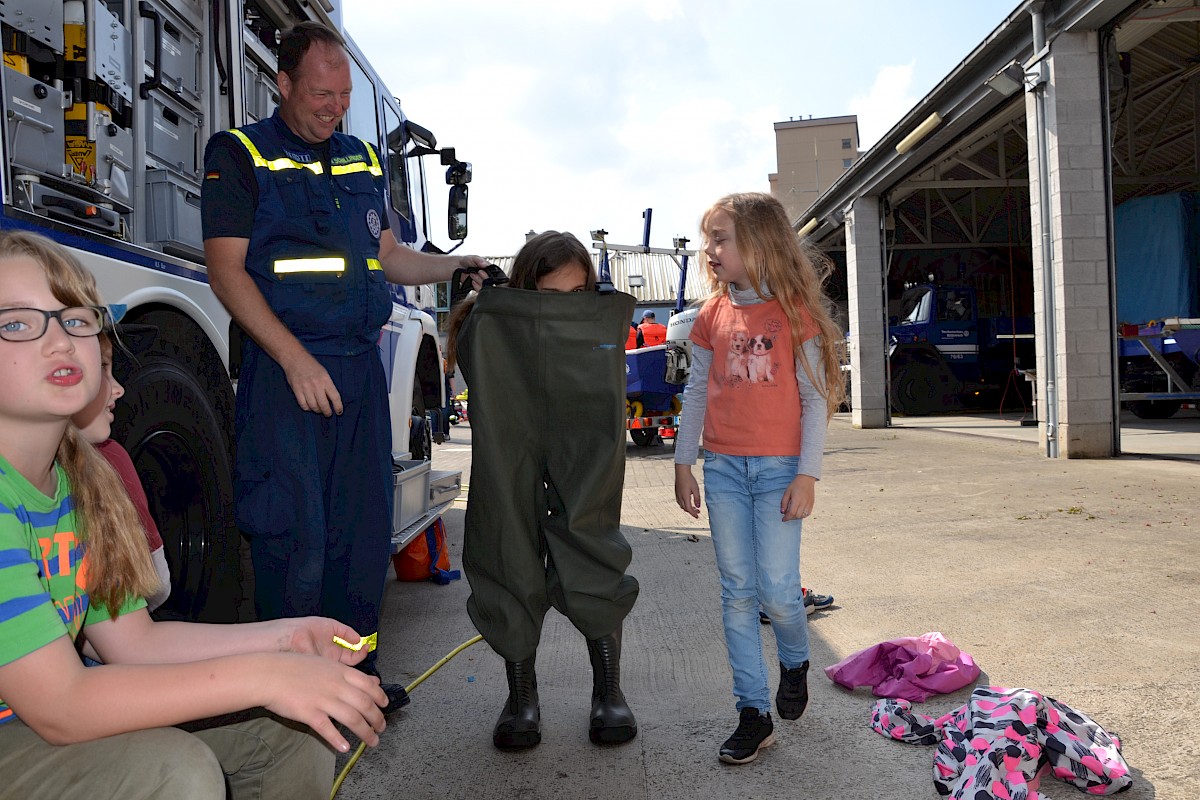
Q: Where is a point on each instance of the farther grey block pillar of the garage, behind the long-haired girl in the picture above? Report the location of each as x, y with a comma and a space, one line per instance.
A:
865, 262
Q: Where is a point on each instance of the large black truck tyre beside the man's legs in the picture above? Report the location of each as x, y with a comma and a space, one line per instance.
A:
179, 448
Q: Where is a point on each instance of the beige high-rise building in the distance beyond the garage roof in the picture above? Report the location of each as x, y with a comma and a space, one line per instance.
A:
811, 155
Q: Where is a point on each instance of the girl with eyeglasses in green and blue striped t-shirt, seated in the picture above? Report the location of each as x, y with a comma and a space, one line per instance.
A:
74, 573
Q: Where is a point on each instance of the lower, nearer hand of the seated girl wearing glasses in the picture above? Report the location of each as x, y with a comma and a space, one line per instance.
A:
321, 694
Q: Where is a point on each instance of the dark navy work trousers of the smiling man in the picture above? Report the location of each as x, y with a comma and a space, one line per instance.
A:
315, 494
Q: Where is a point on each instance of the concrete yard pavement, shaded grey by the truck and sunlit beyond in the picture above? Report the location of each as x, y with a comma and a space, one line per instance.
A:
1075, 579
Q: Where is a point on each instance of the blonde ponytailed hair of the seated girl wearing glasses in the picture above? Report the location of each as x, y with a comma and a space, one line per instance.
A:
119, 564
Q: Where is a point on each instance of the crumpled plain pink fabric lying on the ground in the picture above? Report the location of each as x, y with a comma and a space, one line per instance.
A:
913, 669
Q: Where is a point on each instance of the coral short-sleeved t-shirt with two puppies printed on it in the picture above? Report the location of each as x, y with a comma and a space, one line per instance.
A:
754, 401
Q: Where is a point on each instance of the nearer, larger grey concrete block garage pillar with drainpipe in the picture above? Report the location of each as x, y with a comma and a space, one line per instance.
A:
1082, 318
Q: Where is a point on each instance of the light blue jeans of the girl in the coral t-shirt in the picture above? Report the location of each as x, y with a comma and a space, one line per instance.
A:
759, 558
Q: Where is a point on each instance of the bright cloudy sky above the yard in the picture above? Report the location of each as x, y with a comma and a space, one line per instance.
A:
579, 116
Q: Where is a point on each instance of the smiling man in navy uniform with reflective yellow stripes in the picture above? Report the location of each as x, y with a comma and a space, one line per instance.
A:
301, 252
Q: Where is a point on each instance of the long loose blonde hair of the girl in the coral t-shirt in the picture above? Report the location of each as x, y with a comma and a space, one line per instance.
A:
793, 272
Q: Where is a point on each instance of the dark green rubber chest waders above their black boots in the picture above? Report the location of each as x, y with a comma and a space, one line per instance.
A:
547, 374
